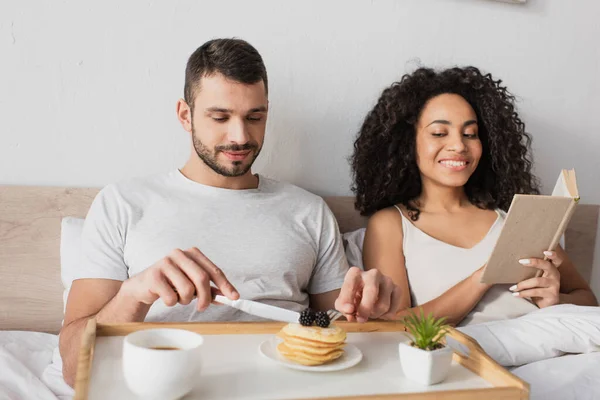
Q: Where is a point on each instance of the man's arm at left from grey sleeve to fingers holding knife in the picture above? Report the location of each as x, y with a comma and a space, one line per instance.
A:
103, 289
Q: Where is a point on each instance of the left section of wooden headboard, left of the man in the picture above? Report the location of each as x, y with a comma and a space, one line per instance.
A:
30, 284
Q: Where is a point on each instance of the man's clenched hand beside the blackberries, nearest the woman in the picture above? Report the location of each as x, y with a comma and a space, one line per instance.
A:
367, 295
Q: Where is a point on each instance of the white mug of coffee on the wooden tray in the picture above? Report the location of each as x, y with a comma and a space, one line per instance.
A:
162, 363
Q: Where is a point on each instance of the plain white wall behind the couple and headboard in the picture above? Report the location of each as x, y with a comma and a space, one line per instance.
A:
88, 89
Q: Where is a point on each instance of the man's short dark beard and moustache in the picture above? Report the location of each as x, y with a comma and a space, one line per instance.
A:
210, 157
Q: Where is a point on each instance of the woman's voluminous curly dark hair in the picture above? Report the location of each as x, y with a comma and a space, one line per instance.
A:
384, 163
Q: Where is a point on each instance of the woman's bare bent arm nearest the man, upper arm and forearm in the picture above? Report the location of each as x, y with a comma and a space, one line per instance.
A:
382, 249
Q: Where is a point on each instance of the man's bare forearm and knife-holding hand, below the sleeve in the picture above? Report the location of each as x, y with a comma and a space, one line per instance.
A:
176, 278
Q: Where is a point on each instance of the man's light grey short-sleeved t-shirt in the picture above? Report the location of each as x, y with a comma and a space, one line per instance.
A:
277, 243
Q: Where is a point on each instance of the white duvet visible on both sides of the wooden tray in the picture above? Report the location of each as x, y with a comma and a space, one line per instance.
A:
556, 350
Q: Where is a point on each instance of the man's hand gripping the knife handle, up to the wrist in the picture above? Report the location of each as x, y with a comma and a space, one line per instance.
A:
178, 278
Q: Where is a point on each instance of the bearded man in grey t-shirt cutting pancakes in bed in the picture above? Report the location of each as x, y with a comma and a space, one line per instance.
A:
214, 226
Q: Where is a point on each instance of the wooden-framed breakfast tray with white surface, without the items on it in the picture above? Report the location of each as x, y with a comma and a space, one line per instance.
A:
470, 364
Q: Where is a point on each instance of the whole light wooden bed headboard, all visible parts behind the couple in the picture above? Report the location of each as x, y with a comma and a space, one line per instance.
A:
30, 220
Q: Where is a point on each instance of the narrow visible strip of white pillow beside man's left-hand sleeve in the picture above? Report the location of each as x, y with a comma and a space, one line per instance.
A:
70, 252
